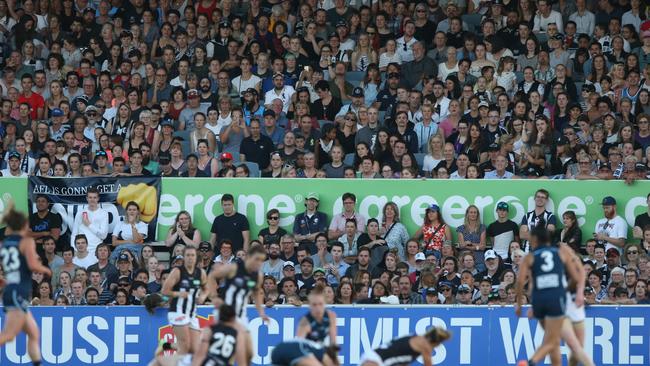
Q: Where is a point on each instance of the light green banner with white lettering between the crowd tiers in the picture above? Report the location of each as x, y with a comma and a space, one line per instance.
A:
254, 197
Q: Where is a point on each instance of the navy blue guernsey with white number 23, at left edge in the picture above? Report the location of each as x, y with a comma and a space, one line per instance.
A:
16, 272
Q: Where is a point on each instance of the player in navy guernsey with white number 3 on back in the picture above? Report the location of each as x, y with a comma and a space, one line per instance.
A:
546, 266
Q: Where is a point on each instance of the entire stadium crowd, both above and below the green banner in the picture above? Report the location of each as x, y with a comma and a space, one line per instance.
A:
329, 89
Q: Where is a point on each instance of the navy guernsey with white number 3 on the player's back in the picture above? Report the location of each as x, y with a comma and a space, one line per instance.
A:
548, 274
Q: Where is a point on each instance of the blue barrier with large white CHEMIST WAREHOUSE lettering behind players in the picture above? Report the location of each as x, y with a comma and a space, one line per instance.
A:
480, 335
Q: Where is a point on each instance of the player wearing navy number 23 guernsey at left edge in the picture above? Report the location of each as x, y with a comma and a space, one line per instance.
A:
19, 259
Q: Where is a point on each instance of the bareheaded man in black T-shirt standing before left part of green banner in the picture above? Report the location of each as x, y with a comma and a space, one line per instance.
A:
230, 225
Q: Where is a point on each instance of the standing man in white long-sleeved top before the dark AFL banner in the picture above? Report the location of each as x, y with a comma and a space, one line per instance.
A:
92, 221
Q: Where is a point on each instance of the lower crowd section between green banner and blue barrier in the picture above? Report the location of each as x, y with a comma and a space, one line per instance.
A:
357, 259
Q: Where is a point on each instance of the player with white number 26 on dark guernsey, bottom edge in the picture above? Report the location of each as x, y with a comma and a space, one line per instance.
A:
221, 344
